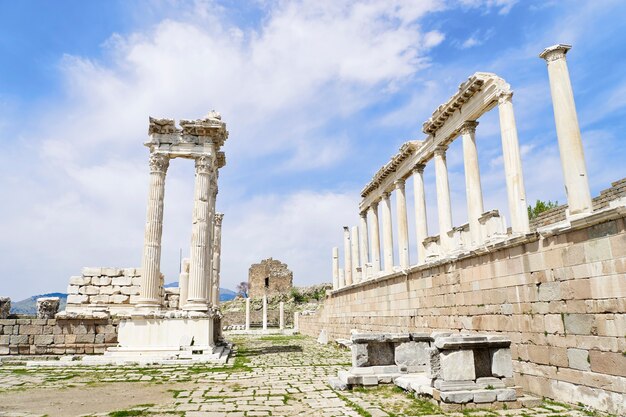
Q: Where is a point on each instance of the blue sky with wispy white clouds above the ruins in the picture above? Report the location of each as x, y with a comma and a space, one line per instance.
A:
317, 96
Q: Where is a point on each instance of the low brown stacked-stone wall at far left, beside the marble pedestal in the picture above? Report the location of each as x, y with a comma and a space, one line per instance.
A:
56, 336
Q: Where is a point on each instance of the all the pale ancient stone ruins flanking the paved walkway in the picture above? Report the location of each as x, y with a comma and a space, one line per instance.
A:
481, 315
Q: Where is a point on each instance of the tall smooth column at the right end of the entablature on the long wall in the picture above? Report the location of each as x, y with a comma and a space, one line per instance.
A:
512, 159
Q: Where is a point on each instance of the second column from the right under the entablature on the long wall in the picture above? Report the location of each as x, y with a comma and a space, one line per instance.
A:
473, 189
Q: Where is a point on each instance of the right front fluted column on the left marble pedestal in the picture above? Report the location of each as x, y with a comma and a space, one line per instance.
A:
197, 298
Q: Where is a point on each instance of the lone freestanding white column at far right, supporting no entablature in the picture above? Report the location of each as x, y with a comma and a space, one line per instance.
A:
568, 131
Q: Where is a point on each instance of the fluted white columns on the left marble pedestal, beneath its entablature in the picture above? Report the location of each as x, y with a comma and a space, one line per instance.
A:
199, 280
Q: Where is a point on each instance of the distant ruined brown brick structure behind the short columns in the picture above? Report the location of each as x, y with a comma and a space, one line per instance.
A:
270, 277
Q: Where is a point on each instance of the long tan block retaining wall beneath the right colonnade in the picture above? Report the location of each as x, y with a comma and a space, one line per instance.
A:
560, 296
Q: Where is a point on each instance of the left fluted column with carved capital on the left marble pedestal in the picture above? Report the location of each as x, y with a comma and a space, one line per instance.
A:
149, 292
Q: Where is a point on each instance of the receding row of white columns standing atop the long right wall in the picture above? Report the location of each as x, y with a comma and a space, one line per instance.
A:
574, 173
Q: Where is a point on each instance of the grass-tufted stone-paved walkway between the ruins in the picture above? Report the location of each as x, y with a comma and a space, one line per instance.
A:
270, 376
